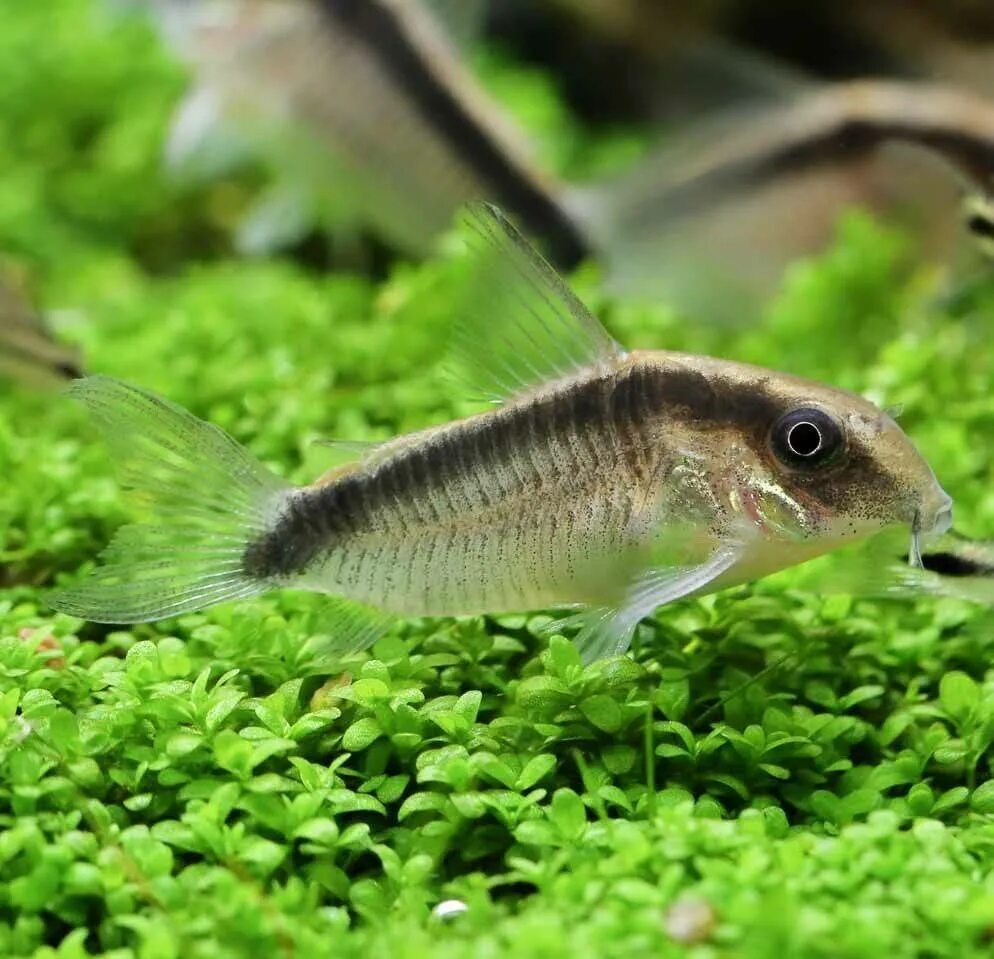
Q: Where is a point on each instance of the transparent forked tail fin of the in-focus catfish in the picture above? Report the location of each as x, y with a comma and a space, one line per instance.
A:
205, 500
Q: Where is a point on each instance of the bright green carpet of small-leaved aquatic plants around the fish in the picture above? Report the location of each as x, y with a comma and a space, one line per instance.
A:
813, 774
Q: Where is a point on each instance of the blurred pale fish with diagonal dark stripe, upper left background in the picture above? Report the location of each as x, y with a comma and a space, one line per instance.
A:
366, 113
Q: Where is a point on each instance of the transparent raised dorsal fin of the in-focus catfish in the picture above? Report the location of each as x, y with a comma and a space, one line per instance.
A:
521, 325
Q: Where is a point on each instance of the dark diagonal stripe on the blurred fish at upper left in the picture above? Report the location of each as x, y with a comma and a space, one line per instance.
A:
375, 24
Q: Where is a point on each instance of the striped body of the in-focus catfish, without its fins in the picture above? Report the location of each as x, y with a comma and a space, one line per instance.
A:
550, 498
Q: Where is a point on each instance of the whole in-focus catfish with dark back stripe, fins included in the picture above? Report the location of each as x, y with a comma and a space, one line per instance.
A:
604, 482
